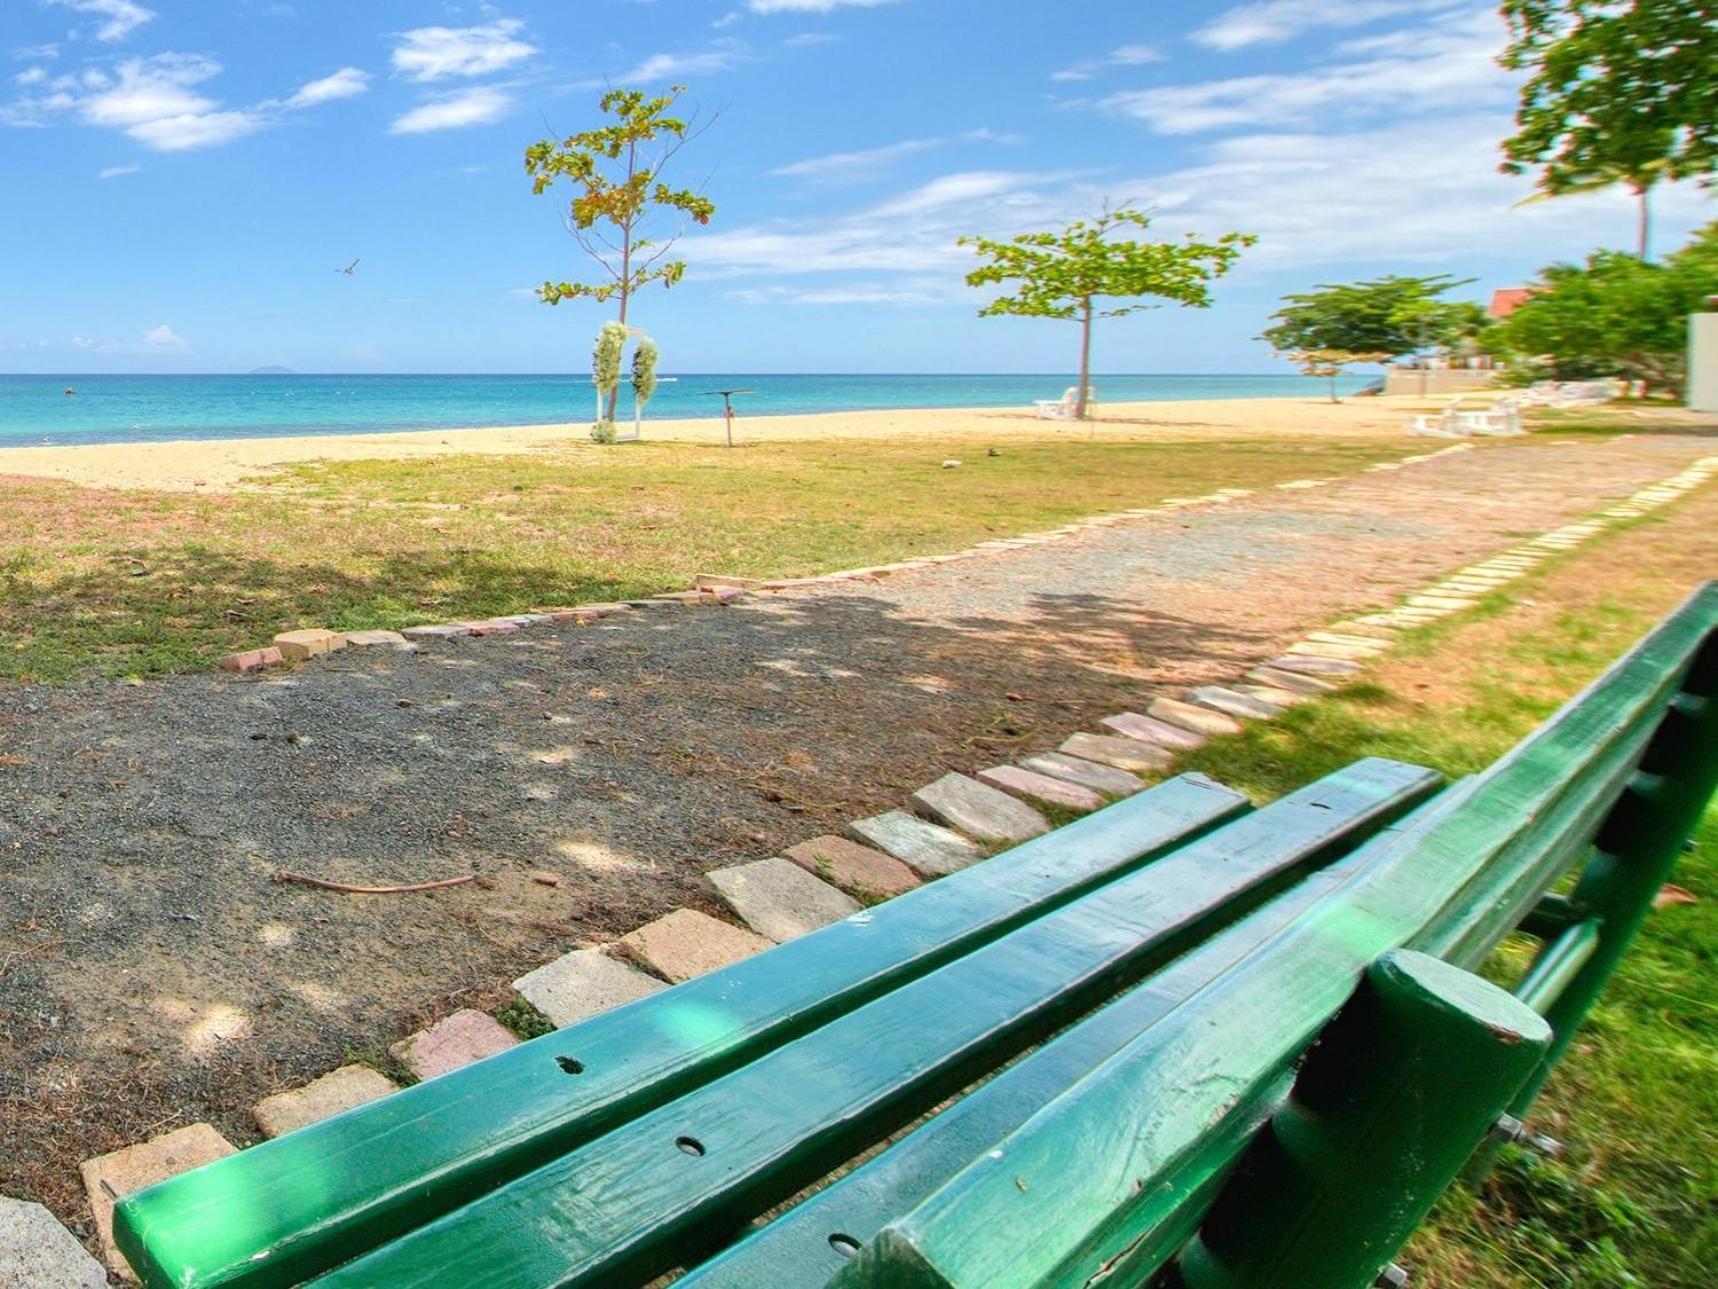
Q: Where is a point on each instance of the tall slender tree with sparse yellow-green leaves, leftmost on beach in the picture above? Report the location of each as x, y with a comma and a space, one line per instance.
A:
616, 173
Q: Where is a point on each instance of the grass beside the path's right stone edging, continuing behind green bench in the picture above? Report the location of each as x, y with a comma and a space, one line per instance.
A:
1638, 1099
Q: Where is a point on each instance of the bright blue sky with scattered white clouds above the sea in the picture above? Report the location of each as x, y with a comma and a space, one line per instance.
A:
181, 178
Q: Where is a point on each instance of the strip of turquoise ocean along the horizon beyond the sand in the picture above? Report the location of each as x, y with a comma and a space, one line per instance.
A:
125, 410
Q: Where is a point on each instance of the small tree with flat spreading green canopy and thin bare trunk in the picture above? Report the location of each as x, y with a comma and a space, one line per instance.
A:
1068, 274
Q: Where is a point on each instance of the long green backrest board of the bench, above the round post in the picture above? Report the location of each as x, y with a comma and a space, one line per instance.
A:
1157, 1128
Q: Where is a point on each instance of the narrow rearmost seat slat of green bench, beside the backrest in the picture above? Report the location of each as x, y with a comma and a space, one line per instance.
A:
803, 1249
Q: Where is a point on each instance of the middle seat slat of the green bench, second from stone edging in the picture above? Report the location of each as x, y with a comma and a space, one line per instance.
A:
645, 1197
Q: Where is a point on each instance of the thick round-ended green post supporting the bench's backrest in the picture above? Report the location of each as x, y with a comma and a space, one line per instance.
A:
1382, 1118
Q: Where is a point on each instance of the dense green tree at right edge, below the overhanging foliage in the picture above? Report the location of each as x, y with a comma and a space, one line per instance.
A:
1617, 315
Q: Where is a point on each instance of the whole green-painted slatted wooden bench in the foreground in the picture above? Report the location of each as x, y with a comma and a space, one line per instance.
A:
1185, 1037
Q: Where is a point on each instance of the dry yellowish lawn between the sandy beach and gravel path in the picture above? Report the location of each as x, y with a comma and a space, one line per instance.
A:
121, 583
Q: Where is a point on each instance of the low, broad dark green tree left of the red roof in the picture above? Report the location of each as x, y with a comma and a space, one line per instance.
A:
1382, 319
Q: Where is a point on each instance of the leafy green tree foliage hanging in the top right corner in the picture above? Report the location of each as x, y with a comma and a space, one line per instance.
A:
1619, 92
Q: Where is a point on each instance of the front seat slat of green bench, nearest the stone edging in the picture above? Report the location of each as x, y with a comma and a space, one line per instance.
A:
289, 1209
